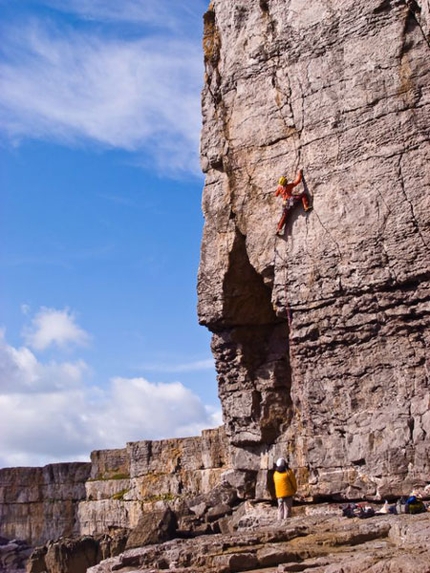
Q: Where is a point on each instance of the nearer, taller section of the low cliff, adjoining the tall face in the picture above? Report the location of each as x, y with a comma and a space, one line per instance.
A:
126, 483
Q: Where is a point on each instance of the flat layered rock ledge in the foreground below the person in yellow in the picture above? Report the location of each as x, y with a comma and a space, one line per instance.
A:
322, 542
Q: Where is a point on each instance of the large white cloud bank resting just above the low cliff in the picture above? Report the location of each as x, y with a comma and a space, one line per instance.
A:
49, 413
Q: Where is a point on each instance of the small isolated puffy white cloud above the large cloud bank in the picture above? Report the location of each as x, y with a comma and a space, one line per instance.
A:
51, 327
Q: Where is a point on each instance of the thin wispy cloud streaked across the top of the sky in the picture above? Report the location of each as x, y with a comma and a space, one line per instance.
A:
75, 86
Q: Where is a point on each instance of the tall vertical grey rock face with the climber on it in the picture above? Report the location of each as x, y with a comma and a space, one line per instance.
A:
320, 336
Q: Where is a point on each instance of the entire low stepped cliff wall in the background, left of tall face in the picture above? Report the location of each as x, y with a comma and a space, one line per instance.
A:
113, 491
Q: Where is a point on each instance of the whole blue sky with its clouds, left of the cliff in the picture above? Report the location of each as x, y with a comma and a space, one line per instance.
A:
101, 226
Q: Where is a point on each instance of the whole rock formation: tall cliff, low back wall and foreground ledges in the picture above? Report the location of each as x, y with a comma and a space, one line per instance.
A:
320, 335
